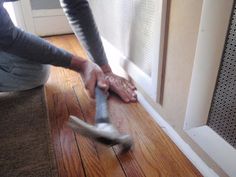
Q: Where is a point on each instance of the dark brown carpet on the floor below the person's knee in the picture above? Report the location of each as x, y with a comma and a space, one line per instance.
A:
25, 144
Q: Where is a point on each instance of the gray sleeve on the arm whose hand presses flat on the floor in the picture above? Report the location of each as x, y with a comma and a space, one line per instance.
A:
82, 22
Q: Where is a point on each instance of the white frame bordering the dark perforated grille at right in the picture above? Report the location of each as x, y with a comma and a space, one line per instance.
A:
210, 45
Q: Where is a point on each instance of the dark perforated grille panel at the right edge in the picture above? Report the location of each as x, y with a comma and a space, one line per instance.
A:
222, 116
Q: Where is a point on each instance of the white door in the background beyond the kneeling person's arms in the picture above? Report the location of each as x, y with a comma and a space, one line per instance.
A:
44, 17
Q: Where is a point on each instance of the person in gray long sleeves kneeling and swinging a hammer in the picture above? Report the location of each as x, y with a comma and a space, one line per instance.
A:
25, 58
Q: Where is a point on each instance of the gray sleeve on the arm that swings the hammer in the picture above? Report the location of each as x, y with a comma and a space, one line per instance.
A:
15, 41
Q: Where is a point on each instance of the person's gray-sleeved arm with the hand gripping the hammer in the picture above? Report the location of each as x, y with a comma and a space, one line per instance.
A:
31, 47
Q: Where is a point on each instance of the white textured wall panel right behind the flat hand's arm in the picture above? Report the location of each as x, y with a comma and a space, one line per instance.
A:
132, 27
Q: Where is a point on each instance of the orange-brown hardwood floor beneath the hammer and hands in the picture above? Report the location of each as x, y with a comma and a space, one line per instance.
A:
153, 155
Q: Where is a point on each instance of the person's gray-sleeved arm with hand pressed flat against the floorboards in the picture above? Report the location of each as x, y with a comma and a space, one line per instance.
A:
82, 22
